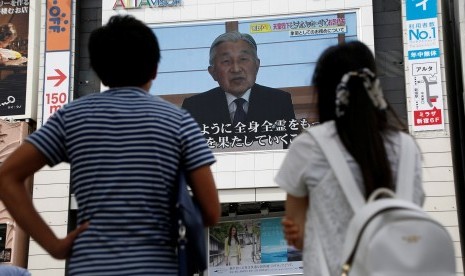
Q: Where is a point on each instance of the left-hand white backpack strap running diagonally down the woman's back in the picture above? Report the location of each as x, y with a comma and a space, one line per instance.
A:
335, 157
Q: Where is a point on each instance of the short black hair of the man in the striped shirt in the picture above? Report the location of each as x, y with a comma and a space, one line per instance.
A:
124, 52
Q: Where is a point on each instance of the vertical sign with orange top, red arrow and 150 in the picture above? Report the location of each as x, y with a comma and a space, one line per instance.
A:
57, 56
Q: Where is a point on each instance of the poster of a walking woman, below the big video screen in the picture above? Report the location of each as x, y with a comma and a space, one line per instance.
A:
251, 247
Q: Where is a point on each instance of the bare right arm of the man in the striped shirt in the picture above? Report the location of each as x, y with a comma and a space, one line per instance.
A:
204, 190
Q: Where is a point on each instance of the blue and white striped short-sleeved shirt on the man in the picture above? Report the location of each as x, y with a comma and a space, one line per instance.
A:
124, 147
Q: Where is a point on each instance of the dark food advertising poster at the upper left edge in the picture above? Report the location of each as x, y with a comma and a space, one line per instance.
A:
14, 31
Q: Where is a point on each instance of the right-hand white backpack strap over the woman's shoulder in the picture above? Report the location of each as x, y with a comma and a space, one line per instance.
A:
406, 169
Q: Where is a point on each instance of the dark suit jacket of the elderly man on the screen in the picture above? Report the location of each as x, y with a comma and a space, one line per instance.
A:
265, 104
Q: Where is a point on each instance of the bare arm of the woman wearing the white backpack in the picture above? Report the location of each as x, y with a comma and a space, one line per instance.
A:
294, 221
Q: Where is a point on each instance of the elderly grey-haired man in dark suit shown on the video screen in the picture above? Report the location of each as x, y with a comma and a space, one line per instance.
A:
239, 109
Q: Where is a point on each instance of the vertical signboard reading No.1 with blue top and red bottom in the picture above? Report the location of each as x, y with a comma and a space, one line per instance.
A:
424, 65
